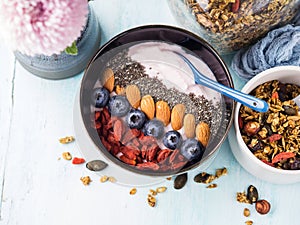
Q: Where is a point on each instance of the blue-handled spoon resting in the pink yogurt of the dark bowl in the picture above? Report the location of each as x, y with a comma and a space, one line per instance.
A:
245, 99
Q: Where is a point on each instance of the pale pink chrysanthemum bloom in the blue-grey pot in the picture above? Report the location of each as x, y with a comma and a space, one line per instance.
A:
42, 26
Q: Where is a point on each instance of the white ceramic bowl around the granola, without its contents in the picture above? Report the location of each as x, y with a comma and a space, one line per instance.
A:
285, 74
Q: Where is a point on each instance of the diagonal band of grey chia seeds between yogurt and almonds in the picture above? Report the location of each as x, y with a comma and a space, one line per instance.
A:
128, 71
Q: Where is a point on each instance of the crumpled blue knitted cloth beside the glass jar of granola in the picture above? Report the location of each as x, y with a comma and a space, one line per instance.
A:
280, 47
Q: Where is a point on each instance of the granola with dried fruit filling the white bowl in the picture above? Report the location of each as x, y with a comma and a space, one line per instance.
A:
273, 137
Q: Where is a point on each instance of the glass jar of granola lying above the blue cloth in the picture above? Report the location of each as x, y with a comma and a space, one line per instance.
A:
229, 25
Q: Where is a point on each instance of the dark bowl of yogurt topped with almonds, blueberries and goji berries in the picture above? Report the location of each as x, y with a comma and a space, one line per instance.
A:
142, 109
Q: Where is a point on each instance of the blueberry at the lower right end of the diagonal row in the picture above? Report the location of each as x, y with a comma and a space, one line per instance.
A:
192, 149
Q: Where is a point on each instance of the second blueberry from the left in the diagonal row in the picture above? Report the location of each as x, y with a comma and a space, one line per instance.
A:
118, 106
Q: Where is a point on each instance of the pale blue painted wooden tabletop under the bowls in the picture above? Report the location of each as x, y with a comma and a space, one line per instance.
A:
38, 189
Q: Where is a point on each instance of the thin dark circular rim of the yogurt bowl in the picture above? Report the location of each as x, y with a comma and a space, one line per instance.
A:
207, 46
